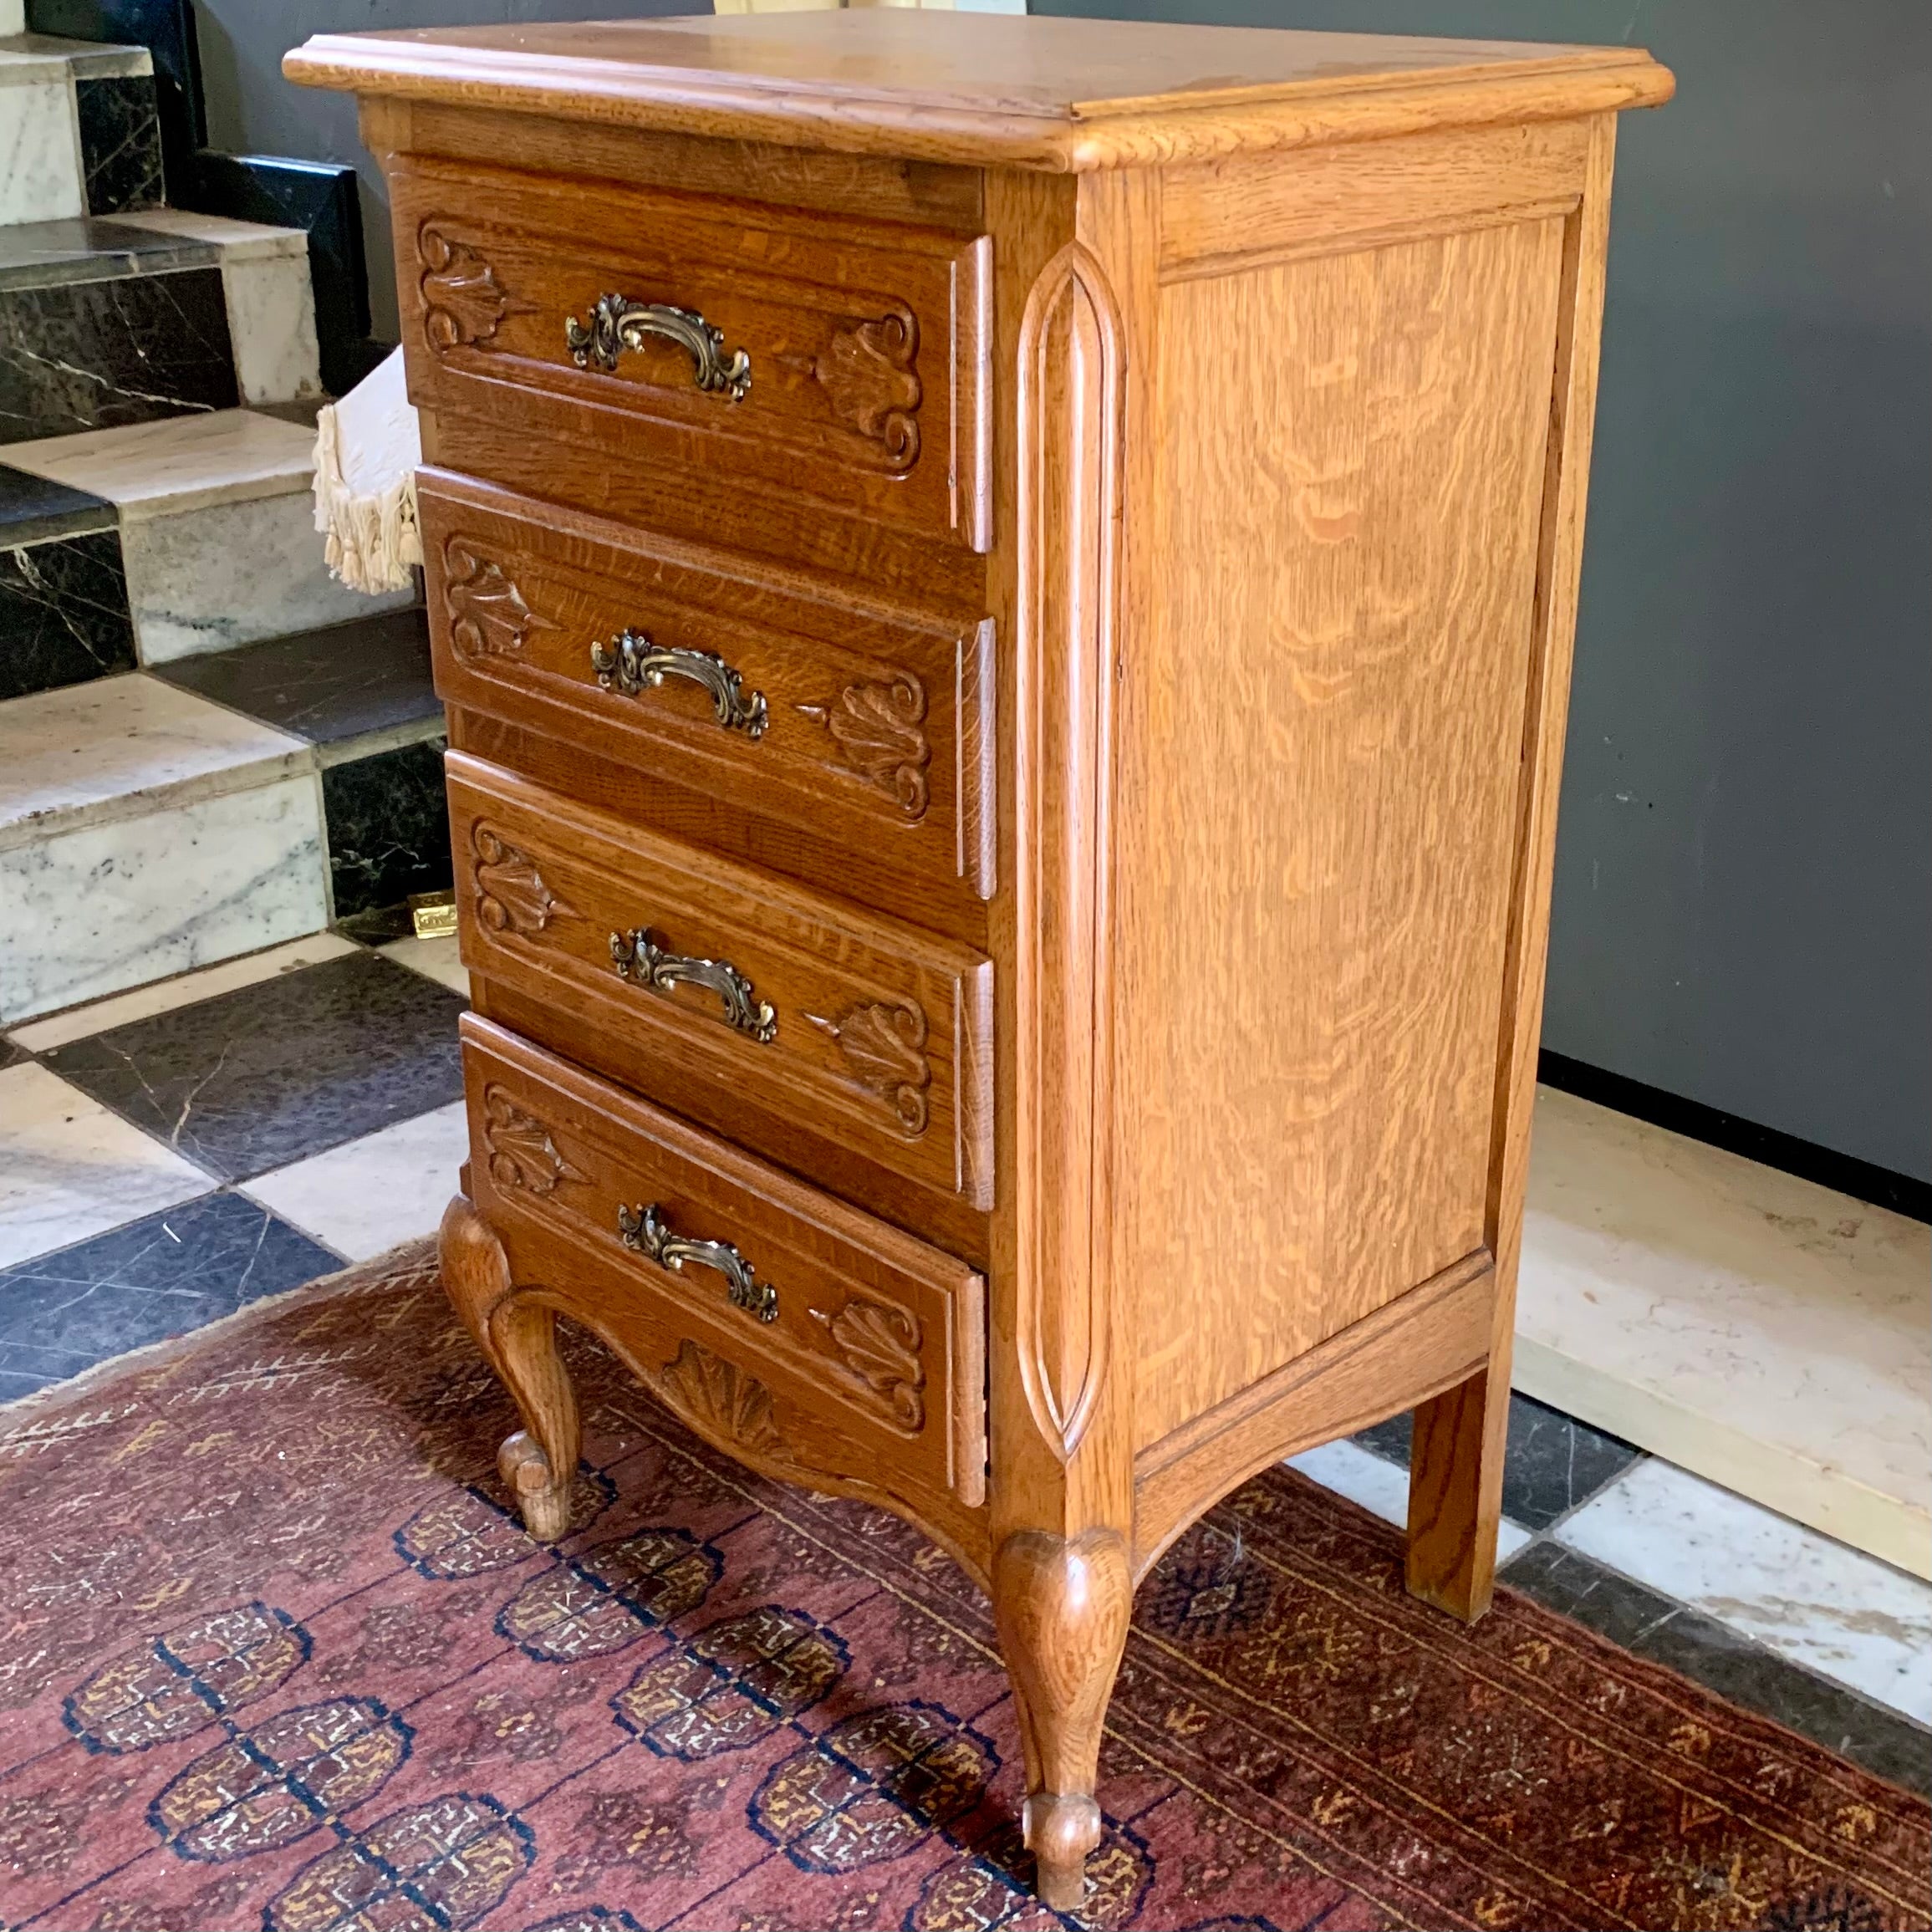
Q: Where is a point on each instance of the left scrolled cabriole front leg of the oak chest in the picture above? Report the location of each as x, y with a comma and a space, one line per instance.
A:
519, 1336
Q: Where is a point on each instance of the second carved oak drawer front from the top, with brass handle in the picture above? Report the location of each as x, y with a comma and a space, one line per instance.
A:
861, 722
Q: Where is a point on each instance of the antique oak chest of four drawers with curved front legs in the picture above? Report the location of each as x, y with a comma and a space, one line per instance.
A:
1006, 596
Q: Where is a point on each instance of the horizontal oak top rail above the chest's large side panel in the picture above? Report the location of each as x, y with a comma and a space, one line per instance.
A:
1326, 202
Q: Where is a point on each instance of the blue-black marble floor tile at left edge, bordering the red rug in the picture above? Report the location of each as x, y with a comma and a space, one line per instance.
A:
142, 1284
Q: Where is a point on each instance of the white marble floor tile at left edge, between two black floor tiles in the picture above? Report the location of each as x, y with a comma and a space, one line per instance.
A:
71, 1170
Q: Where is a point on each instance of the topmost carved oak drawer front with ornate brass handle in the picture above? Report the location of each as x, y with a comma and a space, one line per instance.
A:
799, 353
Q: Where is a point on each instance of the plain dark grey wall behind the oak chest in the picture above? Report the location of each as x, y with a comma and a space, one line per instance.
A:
1746, 861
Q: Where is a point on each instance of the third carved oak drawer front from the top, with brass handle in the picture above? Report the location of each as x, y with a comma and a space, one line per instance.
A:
731, 980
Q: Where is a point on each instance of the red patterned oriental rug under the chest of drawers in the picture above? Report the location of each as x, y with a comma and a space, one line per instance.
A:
275, 1657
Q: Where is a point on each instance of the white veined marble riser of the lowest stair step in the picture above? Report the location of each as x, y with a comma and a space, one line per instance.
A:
117, 905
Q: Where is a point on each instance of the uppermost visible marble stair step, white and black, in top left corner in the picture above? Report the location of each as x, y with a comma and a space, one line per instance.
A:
80, 127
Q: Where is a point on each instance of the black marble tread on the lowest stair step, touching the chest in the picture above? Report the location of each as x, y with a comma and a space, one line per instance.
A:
324, 685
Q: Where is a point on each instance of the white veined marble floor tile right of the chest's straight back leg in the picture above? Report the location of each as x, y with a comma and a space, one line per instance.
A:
1804, 1595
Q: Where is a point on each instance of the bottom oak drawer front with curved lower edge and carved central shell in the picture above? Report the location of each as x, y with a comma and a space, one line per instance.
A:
776, 1317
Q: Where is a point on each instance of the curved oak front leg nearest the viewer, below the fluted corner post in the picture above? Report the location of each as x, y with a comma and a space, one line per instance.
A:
1062, 1606
